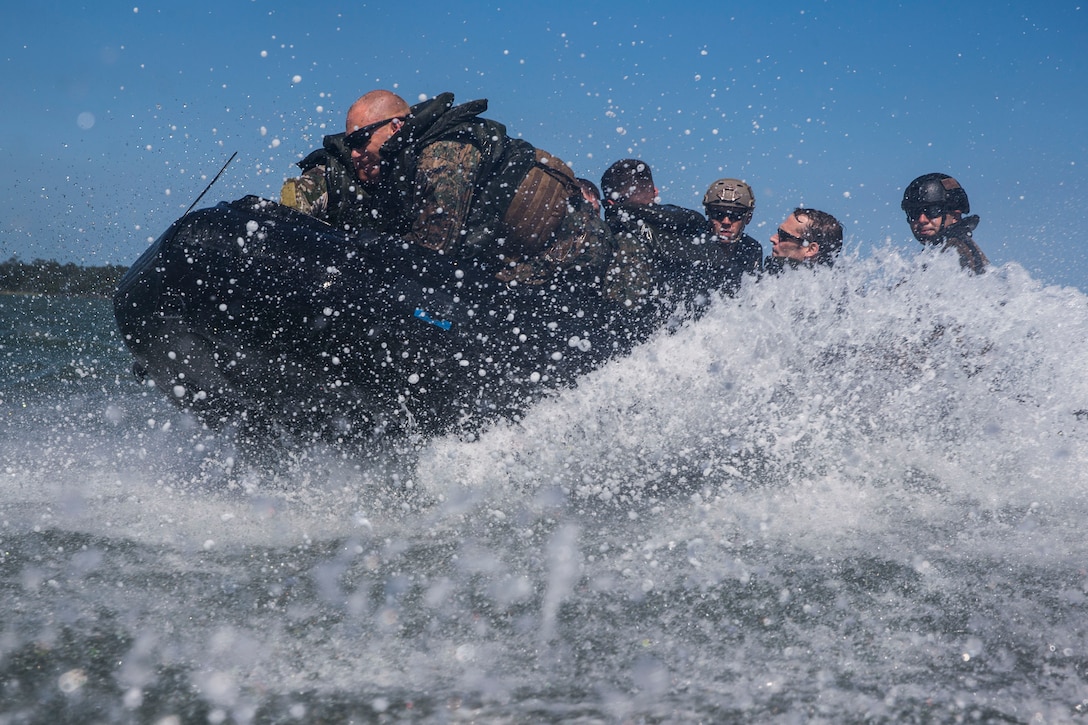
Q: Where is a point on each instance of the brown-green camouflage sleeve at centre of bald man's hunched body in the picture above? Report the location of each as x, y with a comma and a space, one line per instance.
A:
446, 180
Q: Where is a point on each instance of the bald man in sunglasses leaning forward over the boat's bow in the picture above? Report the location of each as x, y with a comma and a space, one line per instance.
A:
444, 178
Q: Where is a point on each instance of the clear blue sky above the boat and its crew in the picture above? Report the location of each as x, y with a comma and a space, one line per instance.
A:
120, 114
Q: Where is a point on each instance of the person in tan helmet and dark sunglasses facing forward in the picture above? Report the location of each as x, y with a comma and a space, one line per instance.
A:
730, 205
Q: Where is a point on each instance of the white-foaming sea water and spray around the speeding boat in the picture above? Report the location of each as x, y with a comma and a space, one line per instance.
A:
850, 496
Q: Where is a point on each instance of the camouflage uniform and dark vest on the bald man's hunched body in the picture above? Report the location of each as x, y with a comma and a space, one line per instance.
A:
456, 182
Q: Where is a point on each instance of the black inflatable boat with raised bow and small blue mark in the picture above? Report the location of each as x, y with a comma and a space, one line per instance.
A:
251, 313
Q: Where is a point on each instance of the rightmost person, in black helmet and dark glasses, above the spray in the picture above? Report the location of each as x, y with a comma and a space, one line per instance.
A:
935, 205
